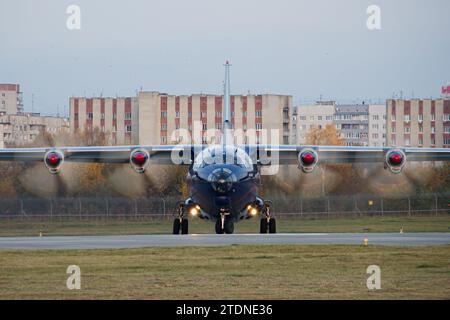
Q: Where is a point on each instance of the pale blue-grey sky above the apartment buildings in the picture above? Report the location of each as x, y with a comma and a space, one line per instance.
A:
307, 49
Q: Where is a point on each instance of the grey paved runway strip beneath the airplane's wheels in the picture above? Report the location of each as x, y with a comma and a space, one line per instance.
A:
138, 241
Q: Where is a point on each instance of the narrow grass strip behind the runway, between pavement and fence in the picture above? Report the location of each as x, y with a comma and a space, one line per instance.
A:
160, 226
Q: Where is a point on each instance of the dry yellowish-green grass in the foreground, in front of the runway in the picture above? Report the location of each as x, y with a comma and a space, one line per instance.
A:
234, 272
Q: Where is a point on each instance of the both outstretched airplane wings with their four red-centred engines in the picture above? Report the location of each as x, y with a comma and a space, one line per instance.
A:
304, 156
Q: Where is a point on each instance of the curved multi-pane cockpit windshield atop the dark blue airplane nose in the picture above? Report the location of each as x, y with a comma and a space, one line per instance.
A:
223, 155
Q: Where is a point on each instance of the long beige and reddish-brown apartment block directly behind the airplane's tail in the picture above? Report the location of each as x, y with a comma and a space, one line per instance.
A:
159, 118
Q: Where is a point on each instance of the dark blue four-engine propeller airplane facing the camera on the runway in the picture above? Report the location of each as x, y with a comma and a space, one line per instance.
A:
224, 178
